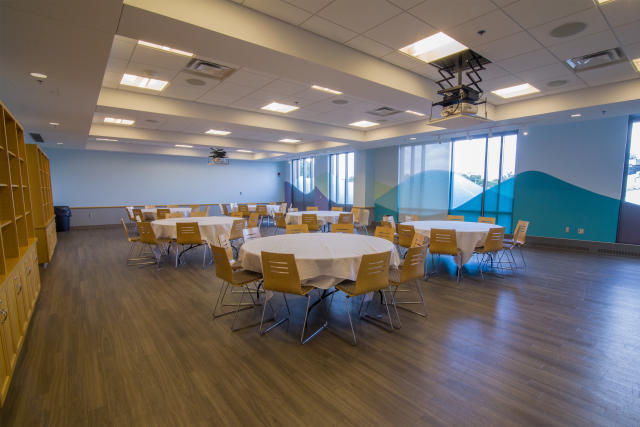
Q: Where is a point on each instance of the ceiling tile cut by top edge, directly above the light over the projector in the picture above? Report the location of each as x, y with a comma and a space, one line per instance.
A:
445, 14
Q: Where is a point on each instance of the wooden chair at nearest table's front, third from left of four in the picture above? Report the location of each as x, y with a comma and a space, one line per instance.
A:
373, 275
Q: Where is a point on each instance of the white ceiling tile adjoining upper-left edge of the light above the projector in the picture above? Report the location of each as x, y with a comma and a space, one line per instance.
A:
400, 31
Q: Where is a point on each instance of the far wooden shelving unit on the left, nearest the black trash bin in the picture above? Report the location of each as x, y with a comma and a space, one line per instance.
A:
42, 202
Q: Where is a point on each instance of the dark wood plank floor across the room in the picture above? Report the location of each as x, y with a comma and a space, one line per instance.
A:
114, 345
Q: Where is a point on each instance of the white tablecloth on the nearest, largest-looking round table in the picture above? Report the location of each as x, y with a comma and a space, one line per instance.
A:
326, 258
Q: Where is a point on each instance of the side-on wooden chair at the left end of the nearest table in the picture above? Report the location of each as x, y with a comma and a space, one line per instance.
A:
237, 278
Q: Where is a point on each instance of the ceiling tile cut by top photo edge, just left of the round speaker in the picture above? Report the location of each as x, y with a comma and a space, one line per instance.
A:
531, 13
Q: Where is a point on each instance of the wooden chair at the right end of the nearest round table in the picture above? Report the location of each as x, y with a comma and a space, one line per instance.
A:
411, 270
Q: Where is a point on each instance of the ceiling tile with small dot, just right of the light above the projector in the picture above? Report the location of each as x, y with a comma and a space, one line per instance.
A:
496, 25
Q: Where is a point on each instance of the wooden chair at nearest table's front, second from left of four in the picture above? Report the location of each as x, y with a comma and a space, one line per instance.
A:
280, 274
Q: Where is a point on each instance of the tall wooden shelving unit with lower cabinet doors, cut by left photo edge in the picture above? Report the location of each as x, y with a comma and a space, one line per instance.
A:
19, 275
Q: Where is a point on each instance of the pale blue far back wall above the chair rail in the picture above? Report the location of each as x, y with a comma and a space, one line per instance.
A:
102, 178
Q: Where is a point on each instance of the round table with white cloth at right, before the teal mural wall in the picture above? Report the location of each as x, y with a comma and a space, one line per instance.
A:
469, 235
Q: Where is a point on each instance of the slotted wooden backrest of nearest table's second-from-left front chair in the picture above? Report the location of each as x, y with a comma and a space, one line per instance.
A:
280, 273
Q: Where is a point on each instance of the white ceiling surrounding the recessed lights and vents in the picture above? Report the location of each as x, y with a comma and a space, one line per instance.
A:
279, 48
